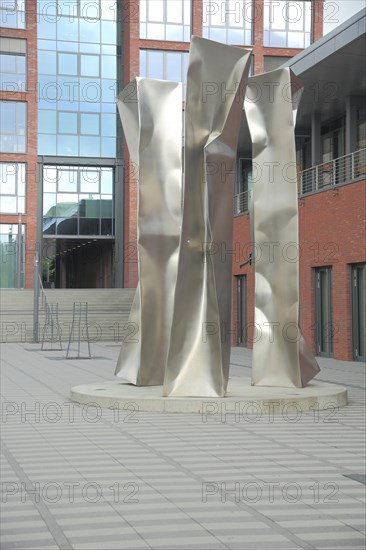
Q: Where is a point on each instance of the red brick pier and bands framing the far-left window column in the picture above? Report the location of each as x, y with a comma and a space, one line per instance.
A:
30, 157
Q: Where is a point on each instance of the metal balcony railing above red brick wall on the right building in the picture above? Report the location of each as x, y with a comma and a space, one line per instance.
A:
324, 176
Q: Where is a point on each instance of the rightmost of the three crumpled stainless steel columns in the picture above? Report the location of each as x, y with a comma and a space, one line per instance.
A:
280, 354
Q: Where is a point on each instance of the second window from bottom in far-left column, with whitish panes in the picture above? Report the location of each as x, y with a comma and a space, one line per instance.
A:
12, 188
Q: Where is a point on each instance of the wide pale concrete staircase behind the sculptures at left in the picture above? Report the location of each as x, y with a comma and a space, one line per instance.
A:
108, 312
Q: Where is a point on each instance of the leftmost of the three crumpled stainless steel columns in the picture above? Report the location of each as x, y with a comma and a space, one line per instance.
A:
151, 113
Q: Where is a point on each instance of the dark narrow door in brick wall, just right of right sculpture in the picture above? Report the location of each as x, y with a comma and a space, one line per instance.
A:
323, 310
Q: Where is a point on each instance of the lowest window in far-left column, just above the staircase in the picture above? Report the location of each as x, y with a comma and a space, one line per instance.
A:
12, 244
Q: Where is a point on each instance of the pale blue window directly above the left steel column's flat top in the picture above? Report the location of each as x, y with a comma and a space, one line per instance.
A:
164, 65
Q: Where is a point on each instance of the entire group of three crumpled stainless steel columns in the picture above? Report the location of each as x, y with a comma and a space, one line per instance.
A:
182, 306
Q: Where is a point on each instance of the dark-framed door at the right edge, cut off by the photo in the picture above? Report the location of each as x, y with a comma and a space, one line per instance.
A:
359, 311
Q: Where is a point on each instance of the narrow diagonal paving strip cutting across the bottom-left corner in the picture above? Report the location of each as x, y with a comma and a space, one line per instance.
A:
43, 510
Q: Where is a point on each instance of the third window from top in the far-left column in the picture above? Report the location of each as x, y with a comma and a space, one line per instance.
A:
13, 126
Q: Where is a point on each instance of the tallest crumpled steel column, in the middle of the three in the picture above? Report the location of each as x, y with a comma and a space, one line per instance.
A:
199, 353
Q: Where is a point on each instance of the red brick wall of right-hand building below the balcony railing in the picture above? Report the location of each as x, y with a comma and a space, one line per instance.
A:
332, 233
